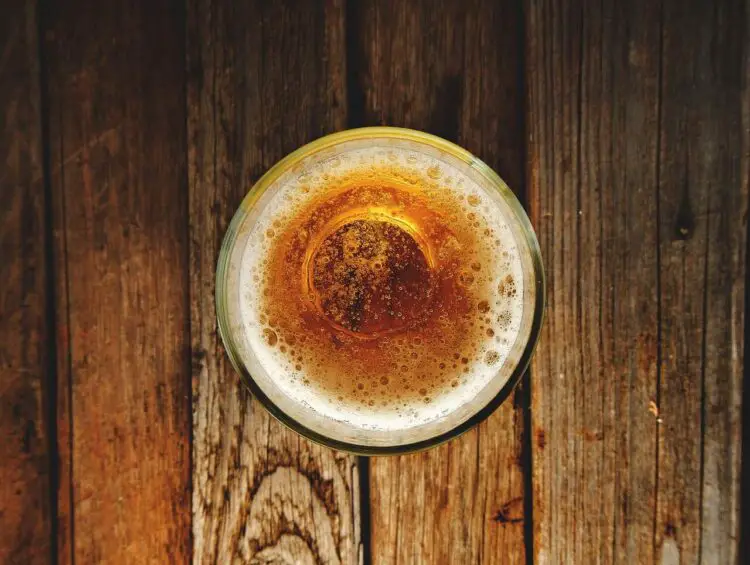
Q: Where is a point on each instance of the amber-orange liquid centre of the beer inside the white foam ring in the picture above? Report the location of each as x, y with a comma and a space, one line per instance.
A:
377, 290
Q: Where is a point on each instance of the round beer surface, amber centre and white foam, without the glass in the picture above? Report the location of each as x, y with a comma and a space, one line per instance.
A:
381, 288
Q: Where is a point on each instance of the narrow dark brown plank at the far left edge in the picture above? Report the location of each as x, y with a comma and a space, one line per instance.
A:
25, 530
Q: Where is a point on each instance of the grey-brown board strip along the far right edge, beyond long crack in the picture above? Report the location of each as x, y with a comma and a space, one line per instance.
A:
702, 215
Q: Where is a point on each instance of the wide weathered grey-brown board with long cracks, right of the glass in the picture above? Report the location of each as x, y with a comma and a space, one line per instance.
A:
638, 185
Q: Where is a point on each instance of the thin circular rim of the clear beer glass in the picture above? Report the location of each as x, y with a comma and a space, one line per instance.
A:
320, 144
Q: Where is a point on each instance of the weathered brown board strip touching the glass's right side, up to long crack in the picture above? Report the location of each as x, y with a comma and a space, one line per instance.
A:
593, 122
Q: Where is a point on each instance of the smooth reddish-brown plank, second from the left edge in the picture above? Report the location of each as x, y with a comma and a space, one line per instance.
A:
118, 176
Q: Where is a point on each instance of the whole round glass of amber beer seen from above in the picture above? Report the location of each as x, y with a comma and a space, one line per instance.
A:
380, 290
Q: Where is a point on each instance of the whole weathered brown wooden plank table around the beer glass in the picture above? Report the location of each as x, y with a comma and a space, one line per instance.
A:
130, 131
